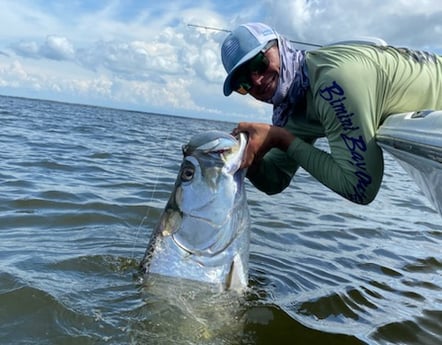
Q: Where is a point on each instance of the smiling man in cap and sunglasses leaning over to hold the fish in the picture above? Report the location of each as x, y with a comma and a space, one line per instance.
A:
341, 92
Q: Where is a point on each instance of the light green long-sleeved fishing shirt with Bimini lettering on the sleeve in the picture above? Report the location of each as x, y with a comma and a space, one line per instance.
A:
353, 88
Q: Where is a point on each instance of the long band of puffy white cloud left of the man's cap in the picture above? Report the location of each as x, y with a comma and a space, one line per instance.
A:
170, 52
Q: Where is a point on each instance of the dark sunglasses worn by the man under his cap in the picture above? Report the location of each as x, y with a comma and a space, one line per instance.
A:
242, 82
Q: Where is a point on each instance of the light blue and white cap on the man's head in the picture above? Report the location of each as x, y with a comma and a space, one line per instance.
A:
241, 45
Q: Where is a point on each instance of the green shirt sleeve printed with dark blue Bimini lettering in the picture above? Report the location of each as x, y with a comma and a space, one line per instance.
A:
348, 108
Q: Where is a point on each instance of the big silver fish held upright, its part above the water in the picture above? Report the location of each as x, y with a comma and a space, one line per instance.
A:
204, 231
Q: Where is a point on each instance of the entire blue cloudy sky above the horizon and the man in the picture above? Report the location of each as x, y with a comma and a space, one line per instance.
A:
143, 54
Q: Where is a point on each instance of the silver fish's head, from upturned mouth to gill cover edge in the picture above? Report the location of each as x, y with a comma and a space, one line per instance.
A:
207, 190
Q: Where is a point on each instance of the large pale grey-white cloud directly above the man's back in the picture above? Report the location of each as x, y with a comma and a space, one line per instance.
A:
401, 22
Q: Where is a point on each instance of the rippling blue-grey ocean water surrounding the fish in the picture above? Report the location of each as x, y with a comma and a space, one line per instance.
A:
82, 187
